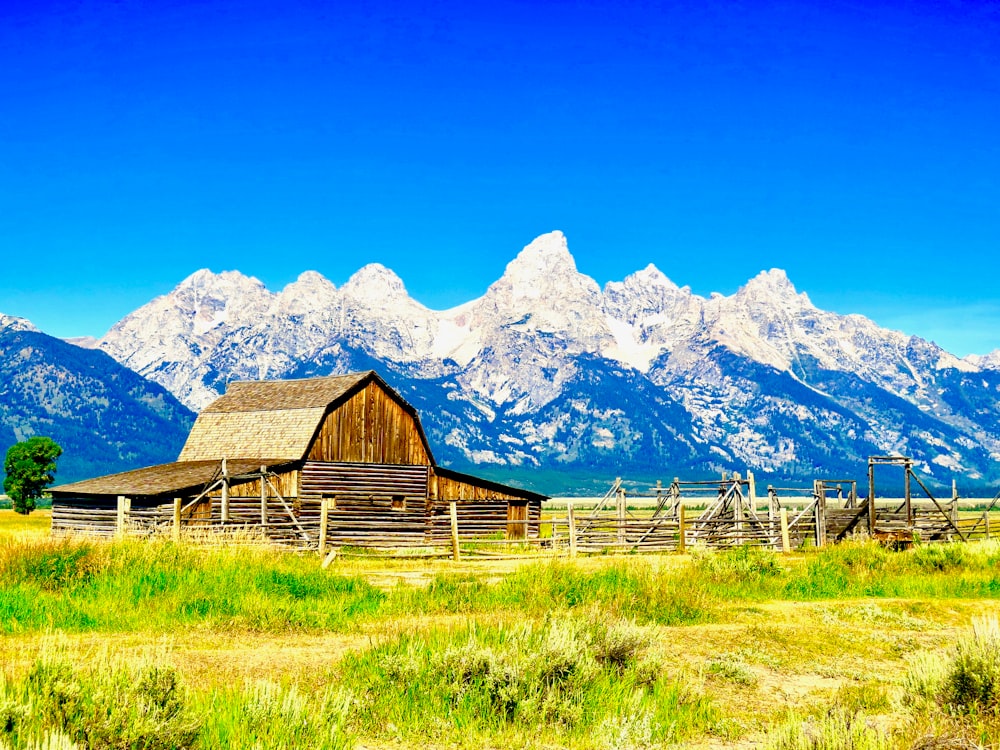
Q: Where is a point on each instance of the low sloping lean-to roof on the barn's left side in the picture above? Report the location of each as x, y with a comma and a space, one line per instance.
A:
179, 477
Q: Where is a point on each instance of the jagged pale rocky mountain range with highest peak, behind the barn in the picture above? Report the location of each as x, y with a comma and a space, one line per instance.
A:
549, 377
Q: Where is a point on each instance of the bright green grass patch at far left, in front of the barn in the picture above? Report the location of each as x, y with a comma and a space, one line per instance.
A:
160, 586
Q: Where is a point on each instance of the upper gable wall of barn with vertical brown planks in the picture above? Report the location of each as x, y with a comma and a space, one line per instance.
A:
370, 427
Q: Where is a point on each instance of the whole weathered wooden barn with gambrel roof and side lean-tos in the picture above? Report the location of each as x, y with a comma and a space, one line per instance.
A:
336, 460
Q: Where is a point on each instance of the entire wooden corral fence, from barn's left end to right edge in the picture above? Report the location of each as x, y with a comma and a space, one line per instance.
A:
717, 514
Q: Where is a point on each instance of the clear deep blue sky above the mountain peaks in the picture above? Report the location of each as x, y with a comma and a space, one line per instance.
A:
854, 144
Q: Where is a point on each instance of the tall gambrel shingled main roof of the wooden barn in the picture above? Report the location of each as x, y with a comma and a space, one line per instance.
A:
275, 418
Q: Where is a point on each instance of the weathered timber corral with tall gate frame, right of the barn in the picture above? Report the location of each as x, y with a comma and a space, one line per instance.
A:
732, 513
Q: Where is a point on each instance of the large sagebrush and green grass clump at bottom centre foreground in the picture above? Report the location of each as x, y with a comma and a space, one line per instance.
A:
578, 685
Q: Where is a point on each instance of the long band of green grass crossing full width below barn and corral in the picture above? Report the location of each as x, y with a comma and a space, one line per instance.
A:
135, 585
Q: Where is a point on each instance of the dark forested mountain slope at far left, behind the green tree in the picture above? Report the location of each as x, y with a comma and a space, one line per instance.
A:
106, 417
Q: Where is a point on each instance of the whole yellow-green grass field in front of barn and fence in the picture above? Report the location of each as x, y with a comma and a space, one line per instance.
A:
138, 644
